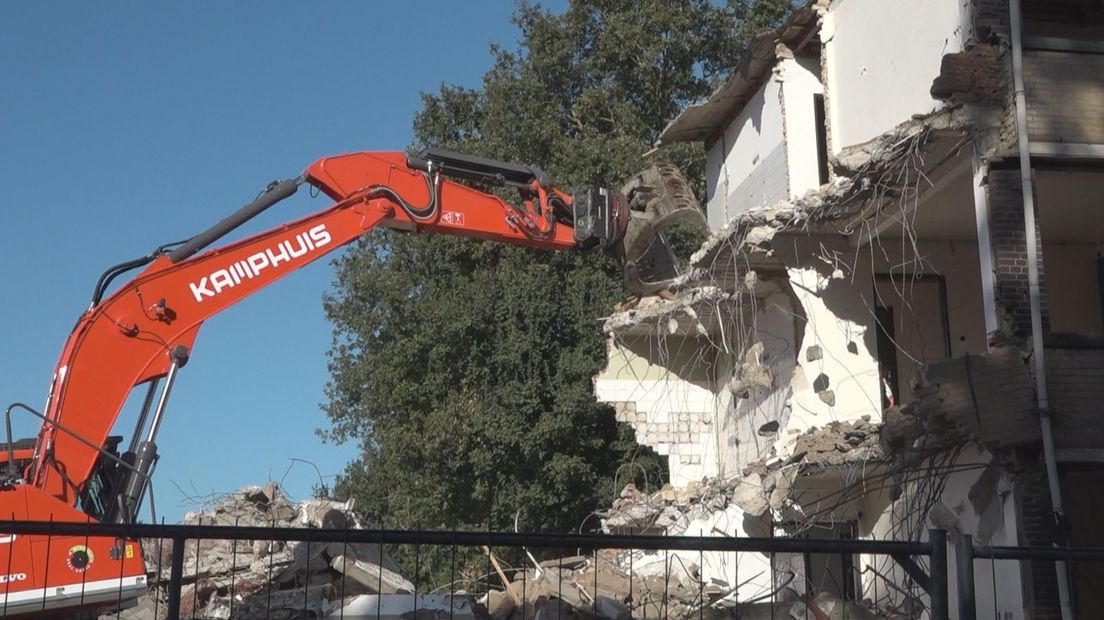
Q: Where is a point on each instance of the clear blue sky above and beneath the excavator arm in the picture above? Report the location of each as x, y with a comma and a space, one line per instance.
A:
128, 125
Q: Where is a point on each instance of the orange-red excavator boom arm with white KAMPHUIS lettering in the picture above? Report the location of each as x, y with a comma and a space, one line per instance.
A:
145, 330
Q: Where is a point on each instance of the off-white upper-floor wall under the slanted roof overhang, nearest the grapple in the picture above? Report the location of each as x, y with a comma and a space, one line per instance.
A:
747, 165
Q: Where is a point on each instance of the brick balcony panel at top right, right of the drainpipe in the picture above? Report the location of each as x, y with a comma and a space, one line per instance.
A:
1066, 97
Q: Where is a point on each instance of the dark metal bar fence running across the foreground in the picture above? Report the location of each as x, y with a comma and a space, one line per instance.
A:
583, 576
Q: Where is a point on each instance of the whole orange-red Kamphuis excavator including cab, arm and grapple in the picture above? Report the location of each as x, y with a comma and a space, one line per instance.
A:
140, 336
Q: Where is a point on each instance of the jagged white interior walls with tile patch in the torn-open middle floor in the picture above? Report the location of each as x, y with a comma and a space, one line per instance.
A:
688, 412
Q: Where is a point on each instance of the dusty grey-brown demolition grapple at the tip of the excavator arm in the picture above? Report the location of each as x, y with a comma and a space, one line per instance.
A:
660, 200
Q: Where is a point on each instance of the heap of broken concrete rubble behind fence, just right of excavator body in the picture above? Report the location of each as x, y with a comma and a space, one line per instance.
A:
247, 580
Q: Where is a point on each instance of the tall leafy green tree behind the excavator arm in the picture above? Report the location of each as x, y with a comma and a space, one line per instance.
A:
465, 368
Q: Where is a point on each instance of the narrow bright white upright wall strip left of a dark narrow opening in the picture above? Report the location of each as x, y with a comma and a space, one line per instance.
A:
801, 81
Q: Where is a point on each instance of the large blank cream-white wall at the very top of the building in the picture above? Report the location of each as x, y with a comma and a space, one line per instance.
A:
882, 59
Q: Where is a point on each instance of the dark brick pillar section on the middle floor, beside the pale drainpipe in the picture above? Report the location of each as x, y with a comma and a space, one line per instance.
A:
1010, 252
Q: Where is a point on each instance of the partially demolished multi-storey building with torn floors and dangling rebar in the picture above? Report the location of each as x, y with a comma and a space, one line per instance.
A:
891, 328
